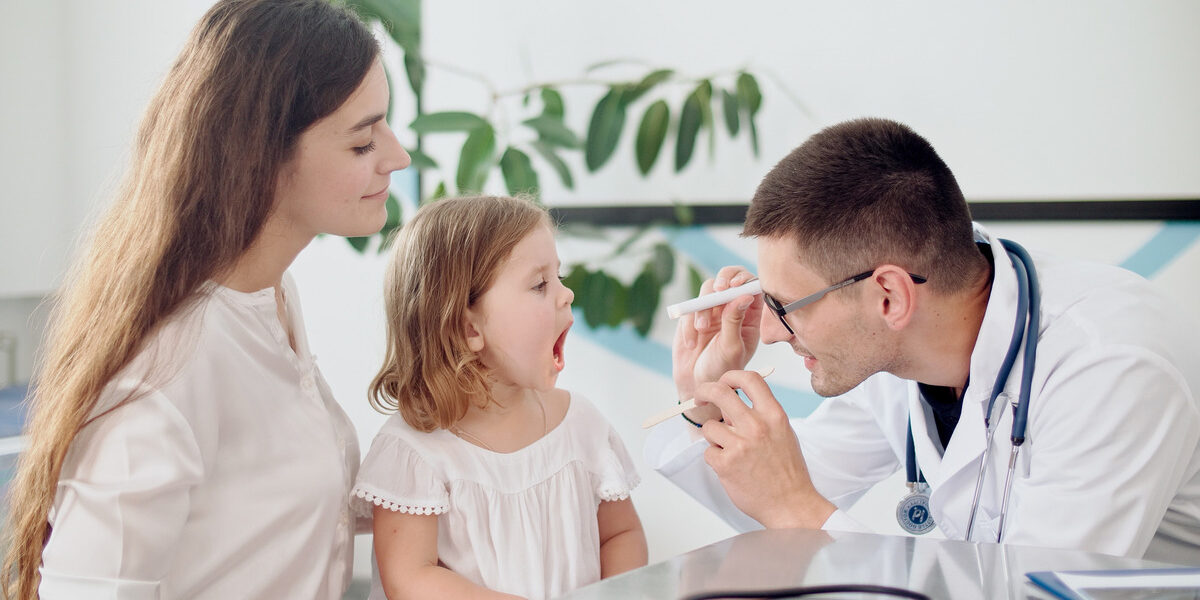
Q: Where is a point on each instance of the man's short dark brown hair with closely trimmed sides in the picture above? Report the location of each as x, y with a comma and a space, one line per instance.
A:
869, 193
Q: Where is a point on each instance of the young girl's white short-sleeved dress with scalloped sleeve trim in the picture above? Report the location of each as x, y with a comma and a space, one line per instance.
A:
523, 523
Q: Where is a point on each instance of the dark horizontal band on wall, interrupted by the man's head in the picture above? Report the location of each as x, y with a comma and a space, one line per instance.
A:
994, 211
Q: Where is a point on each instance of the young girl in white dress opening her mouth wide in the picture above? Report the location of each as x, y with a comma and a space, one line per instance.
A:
490, 482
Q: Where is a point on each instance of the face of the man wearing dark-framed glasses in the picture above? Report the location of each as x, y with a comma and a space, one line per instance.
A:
839, 337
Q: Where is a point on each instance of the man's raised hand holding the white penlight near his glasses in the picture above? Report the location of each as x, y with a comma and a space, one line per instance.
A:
710, 343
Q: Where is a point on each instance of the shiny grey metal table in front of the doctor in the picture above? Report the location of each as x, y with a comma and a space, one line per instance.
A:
765, 560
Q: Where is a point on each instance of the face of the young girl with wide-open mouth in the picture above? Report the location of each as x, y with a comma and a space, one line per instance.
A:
519, 327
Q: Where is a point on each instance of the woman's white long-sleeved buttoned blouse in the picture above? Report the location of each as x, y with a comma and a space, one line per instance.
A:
229, 478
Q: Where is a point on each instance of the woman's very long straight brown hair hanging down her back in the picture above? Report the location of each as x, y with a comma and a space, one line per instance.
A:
254, 76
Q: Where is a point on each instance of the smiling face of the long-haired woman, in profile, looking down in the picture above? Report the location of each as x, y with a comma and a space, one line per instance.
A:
337, 182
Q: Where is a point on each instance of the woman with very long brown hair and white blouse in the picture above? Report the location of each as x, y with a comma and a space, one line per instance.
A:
183, 441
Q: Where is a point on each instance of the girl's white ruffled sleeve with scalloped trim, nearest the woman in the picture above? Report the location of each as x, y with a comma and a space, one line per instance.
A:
394, 476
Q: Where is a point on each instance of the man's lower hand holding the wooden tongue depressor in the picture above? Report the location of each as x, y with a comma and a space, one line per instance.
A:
757, 457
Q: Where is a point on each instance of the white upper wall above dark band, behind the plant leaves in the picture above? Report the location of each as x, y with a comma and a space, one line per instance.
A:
1024, 100
